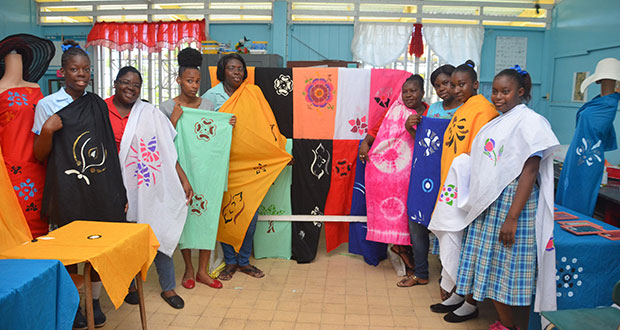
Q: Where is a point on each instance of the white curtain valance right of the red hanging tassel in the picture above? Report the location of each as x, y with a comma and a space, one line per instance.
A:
455, 44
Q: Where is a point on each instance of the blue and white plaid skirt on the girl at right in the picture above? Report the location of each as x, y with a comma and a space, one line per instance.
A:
487, 269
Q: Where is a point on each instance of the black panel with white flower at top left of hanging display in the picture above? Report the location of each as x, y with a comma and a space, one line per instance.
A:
277, 86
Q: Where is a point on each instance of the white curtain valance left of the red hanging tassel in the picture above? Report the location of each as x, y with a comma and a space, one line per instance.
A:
380, 44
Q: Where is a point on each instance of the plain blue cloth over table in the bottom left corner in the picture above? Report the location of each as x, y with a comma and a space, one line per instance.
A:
36, 294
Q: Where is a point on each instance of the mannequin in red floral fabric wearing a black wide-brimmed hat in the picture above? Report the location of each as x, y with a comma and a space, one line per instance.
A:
24, 59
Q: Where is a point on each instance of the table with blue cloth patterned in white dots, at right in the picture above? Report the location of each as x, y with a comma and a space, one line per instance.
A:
587, 267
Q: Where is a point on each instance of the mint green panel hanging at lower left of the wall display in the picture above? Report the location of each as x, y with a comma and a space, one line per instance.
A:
272, 239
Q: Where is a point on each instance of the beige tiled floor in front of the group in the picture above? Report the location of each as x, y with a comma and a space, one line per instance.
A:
336, 291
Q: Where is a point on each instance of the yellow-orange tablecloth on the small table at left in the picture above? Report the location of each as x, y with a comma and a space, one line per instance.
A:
118, 255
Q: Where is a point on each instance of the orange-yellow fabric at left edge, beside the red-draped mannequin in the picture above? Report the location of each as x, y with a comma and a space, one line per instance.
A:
13, 226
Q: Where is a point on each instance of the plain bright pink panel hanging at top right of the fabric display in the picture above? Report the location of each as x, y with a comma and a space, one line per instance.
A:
385, 86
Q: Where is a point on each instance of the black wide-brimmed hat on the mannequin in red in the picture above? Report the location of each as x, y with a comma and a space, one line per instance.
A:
37, 53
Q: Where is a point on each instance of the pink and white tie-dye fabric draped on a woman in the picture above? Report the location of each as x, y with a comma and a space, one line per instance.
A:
387, 178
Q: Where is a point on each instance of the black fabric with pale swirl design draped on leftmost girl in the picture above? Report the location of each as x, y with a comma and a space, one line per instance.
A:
83, 180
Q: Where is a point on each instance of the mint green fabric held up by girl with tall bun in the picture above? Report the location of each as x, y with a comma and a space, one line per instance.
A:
203, 144
